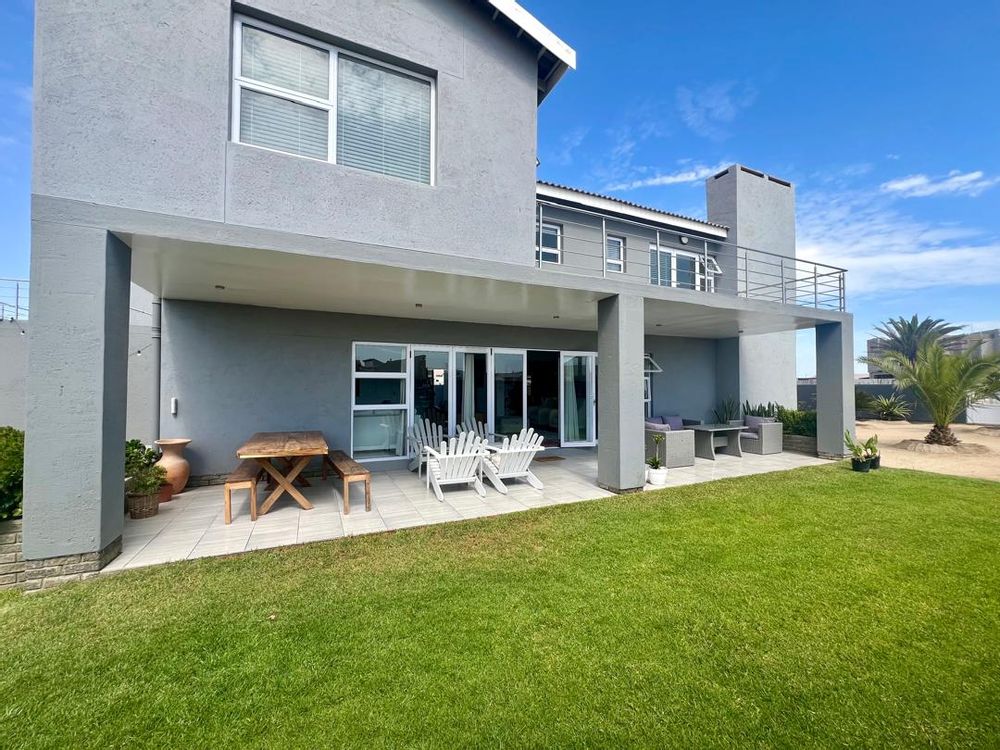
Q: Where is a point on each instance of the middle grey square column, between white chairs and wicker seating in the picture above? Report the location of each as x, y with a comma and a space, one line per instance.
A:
620, 348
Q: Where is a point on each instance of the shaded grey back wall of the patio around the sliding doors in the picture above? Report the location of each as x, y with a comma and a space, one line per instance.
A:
238, 370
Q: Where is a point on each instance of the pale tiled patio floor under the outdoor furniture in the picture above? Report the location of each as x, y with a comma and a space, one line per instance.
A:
192, 525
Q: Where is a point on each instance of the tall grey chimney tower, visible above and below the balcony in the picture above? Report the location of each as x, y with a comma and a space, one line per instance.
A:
760, 214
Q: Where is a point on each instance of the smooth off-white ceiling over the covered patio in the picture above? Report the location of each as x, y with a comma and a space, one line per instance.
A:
177, 269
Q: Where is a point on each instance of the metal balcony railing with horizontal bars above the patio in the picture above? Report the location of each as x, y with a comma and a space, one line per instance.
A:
668, 257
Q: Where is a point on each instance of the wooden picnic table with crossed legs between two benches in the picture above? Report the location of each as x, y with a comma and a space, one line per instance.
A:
294, 450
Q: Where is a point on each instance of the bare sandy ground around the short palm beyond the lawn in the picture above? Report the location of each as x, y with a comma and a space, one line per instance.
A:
970, 460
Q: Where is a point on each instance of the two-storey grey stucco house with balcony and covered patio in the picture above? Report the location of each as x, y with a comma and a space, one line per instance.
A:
335, 206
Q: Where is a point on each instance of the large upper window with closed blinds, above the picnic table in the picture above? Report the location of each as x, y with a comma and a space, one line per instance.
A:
307, 98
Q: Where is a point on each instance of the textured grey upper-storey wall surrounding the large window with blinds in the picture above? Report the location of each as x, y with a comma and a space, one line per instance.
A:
164, 145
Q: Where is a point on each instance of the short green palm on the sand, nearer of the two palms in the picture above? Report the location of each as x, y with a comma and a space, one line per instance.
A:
945, 383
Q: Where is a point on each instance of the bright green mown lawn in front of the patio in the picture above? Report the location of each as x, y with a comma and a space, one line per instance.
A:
811, 608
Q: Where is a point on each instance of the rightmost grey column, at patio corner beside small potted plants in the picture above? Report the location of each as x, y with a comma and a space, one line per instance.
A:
834, 387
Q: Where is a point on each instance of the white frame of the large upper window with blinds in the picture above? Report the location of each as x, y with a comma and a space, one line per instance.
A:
329, 104
